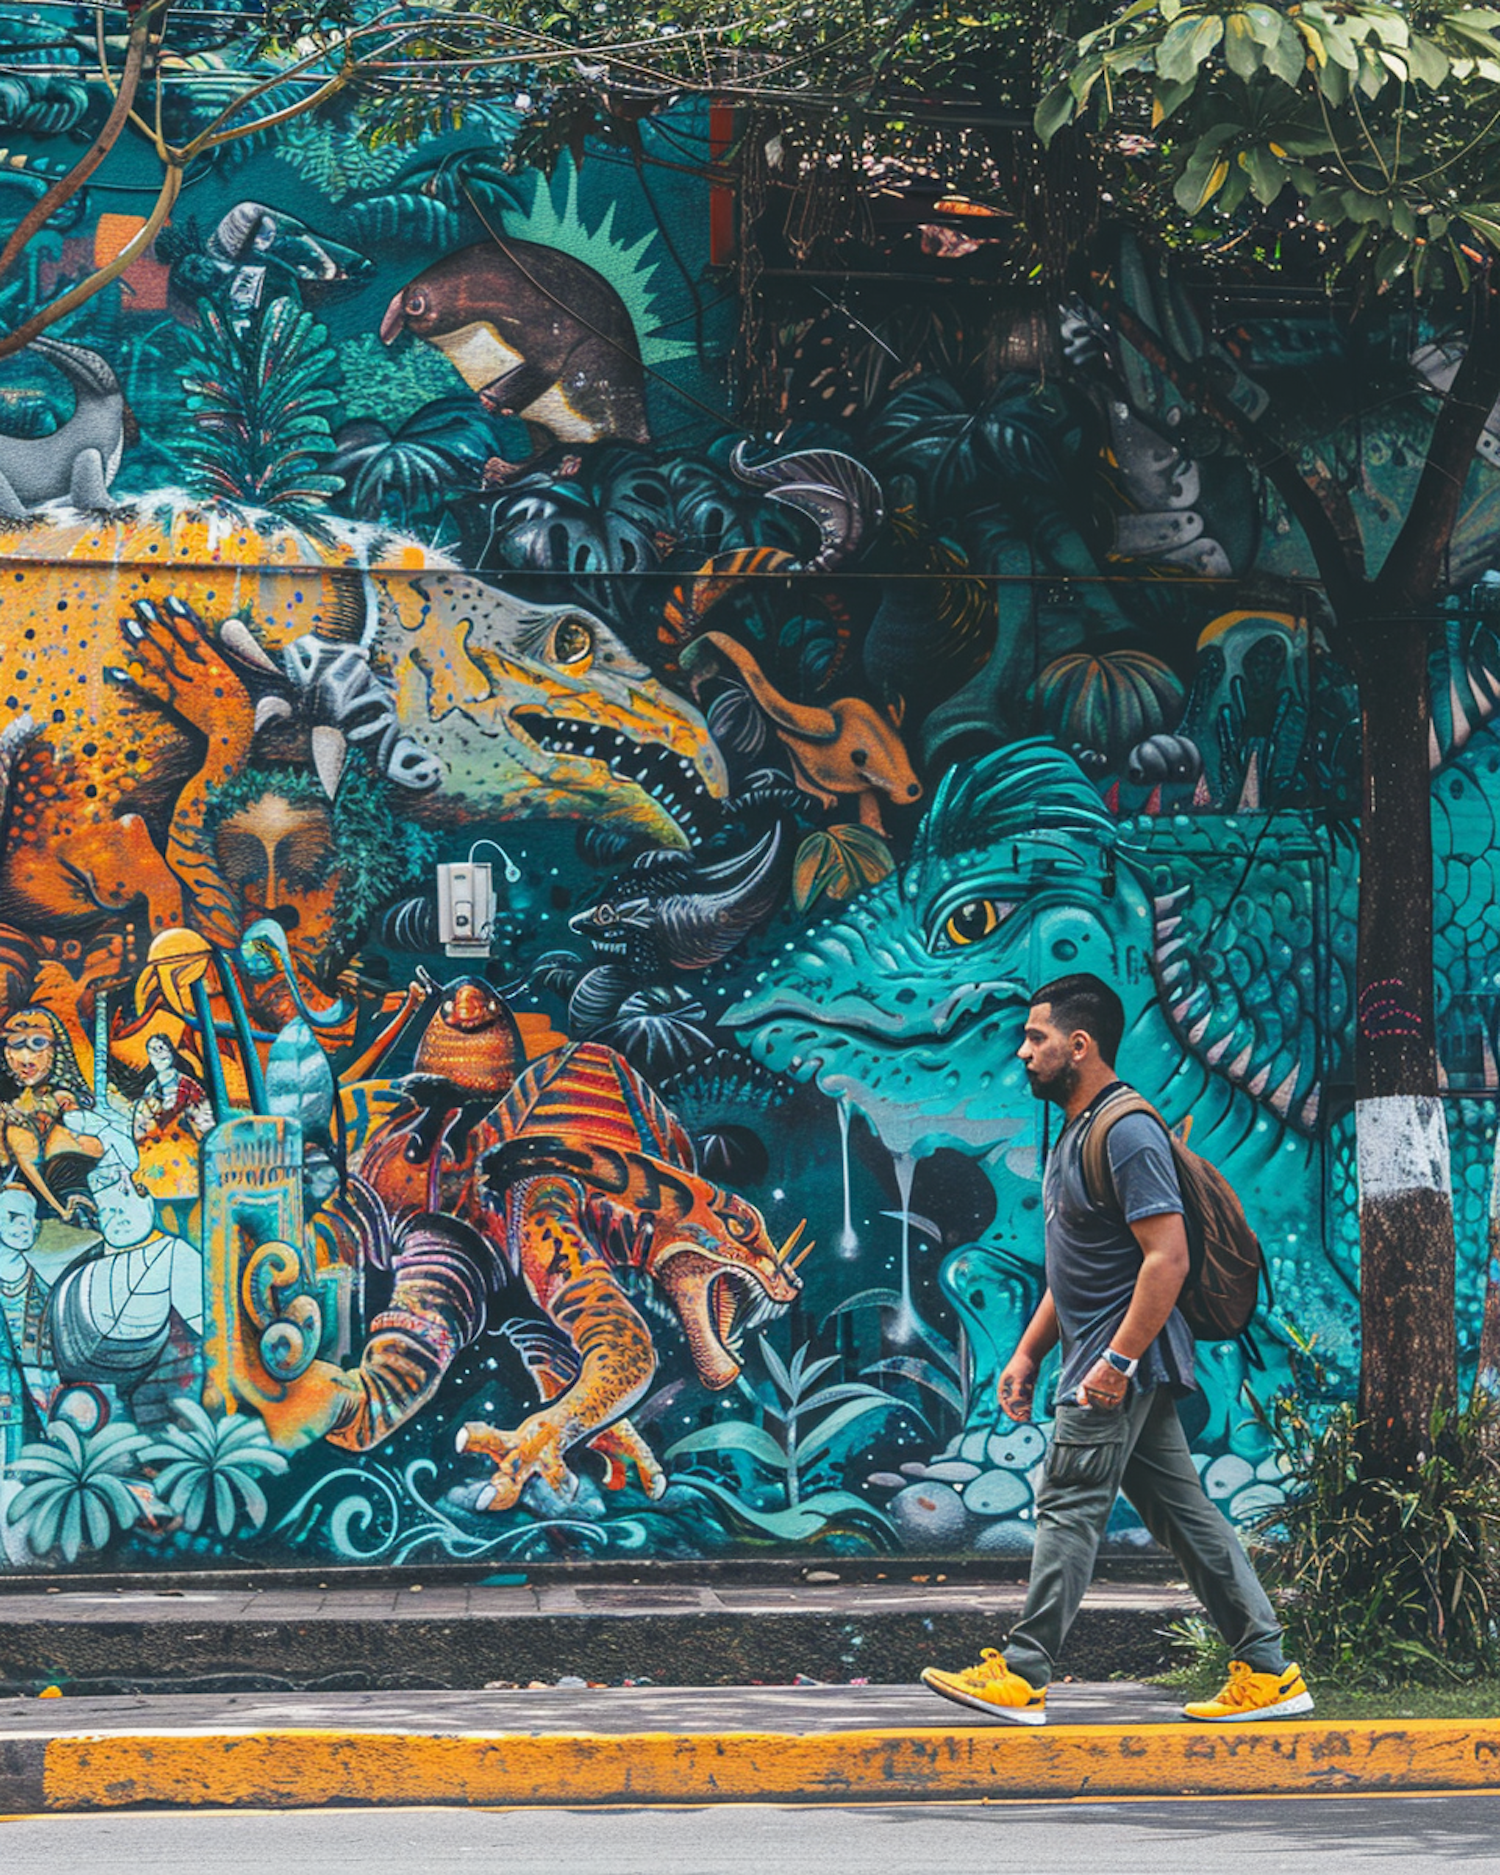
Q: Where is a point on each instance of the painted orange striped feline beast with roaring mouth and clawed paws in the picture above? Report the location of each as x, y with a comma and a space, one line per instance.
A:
578, 1182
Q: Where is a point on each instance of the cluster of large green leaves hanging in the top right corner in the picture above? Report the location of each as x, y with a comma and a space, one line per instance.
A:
1355, 138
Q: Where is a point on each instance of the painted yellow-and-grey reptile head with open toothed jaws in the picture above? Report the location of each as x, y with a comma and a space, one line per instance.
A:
543, 713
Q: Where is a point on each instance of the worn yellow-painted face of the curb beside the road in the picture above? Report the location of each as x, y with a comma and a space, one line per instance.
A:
299, 1769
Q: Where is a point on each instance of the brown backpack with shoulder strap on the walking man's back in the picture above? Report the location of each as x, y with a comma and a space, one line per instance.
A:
1225, 1259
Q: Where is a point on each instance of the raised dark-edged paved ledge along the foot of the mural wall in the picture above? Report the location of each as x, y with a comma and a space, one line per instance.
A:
449, 1636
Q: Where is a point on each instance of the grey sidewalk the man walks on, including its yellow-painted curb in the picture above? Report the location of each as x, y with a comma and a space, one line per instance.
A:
693, 1747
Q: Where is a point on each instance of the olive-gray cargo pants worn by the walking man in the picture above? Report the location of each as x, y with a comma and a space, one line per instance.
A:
1141, 1450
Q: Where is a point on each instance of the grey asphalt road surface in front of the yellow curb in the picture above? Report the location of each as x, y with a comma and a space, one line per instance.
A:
1154, 1838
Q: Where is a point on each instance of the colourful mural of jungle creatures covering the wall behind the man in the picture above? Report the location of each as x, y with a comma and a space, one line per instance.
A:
520, 884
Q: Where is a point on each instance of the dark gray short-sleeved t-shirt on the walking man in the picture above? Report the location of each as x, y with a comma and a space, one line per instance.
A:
1094, 1261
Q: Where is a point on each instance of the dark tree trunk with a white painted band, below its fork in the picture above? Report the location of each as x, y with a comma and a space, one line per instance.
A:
1407, 1272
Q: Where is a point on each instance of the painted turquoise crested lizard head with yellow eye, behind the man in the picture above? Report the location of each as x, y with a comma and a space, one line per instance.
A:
910, 1002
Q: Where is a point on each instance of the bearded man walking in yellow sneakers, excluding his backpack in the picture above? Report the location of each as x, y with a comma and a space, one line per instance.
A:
1113, 1282
